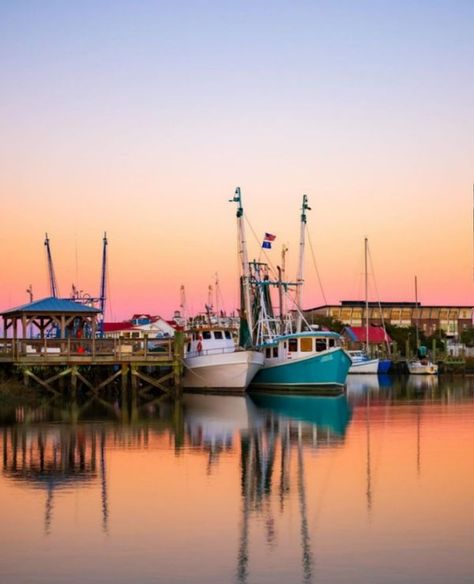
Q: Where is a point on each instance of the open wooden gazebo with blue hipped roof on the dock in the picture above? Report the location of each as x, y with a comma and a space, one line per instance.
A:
70, 318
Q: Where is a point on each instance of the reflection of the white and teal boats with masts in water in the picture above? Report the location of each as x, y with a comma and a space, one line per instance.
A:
274, 430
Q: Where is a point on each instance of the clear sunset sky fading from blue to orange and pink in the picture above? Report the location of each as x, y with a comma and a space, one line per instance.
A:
139, 119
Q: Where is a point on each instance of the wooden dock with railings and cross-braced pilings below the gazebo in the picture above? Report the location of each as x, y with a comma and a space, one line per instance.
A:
96, 363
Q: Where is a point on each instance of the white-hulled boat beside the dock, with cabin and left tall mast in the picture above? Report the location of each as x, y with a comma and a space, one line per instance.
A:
212, 359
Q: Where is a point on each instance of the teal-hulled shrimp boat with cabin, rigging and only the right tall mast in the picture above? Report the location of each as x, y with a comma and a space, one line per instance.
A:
293, 360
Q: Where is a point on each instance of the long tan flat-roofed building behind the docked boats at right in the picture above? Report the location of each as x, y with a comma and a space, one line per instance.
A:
453, 320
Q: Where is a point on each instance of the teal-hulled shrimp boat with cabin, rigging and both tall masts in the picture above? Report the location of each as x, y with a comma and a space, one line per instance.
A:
295, 359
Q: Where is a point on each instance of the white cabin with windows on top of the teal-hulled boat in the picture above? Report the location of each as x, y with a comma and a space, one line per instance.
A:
300, 345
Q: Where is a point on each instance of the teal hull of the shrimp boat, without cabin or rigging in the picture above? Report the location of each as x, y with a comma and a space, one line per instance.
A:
319, 369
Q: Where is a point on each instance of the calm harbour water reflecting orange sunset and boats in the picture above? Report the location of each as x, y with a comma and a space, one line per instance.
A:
373, 486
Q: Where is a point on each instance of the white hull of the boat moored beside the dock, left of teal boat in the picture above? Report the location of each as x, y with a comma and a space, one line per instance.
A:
228, 370
